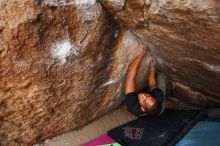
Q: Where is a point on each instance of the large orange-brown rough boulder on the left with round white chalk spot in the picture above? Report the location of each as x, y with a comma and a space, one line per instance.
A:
62, 65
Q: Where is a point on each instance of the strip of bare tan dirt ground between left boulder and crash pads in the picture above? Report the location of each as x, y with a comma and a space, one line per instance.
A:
92, 130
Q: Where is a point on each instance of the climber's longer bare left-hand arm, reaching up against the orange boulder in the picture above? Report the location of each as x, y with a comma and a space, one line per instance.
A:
130, 85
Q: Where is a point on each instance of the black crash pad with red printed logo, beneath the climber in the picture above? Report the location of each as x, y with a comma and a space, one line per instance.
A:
166, 129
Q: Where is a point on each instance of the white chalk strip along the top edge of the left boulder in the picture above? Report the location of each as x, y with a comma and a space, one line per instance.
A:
68, 2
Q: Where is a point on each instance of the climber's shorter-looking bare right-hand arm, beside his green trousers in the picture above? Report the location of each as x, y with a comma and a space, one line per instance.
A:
151, 78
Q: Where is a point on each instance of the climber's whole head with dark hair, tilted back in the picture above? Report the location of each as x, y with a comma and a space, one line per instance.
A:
149, 104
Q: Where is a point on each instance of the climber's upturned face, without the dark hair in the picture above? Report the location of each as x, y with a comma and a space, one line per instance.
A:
146, 101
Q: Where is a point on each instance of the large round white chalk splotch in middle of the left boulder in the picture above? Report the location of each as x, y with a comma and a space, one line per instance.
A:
62, 50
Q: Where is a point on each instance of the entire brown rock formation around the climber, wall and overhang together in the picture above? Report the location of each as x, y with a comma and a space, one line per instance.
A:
63, 62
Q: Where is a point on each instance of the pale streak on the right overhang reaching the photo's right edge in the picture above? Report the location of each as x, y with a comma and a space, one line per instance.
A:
205, 65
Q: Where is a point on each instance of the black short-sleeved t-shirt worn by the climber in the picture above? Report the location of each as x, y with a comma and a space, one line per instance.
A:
133, 106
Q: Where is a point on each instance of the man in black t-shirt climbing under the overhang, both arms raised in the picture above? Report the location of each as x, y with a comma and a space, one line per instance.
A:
140, 104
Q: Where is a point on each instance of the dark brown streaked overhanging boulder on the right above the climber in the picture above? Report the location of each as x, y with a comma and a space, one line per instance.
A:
183, 37
